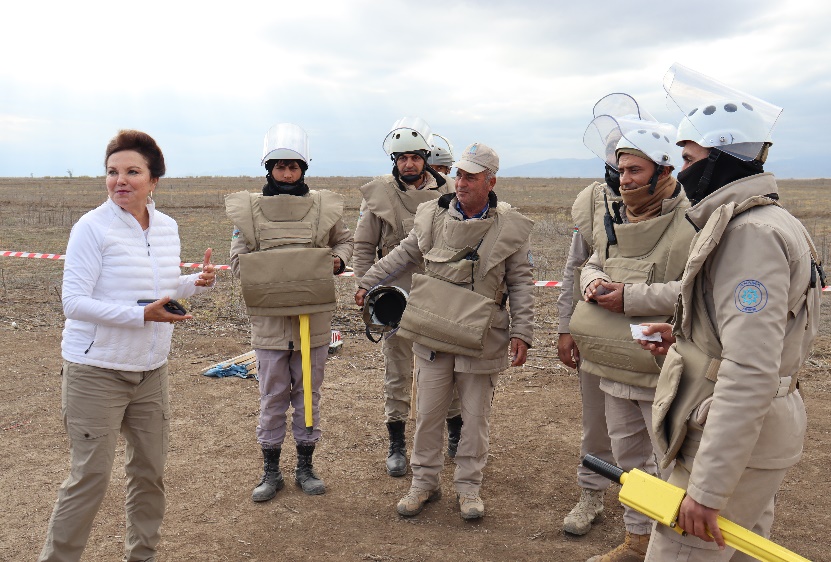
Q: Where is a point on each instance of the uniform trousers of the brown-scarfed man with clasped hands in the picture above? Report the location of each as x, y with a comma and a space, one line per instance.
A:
630, 430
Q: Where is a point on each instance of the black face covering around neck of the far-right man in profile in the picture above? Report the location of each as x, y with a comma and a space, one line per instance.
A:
714, 172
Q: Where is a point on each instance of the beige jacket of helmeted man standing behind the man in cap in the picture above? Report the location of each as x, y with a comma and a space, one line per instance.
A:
371, 230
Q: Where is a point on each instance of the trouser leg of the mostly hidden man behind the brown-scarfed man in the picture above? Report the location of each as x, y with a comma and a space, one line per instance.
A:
595, 440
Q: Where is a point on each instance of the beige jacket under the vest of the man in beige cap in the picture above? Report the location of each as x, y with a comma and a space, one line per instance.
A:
518, 281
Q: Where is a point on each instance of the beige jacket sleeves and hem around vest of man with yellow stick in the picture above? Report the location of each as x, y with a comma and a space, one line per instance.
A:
283, 332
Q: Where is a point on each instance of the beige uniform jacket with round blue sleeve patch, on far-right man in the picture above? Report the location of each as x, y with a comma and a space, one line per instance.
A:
764, 337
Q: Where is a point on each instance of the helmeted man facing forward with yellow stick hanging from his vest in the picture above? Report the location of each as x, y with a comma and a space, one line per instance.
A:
275, 243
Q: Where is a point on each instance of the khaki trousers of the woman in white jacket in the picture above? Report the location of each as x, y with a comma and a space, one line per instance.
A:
96, 404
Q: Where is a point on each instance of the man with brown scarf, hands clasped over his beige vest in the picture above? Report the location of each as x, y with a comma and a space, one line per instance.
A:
633, 278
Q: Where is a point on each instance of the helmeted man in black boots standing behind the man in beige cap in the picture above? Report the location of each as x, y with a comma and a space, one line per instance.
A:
387, 210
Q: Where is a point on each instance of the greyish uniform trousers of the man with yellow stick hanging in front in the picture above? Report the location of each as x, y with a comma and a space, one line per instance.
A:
281, 383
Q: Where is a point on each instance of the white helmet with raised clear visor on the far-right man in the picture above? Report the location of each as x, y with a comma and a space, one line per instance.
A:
719, 116
